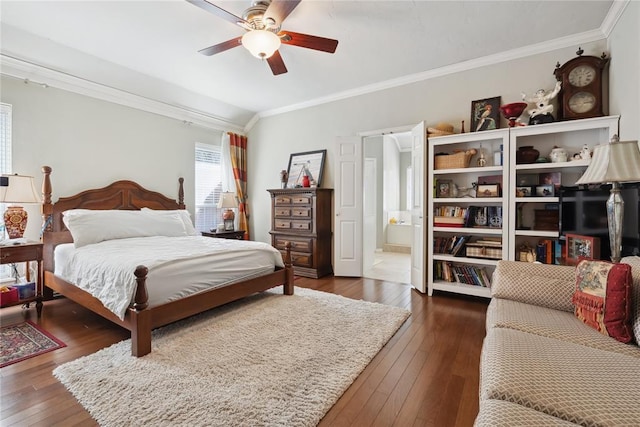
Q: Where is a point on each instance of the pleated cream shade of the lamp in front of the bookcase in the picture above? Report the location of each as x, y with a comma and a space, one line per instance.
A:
616, 161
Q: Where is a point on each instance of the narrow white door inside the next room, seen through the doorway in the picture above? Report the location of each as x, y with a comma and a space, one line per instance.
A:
370, 223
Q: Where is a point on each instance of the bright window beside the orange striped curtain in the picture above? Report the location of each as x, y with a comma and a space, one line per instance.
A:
208, 181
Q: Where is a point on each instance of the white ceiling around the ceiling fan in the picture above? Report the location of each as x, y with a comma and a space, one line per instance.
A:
149, 48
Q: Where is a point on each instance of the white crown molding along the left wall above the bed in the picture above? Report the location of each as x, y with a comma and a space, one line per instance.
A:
31, 72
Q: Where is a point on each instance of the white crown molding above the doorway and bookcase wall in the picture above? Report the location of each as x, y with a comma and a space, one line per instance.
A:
538, 48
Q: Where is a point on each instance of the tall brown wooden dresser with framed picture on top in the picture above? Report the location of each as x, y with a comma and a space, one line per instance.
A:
302, 216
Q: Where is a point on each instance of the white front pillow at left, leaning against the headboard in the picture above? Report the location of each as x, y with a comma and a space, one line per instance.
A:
94, 226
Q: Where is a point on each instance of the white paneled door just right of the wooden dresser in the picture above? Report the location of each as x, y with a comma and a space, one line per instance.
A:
347, 226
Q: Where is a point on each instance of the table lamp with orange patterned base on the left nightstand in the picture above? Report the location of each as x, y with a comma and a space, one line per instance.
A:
17, 189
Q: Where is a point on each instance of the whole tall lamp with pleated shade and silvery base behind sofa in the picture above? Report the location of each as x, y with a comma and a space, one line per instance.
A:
614, 163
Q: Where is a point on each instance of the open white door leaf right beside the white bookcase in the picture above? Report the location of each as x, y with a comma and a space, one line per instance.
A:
418, 220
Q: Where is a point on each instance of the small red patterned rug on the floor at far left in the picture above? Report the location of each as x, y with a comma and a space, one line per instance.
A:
25, 340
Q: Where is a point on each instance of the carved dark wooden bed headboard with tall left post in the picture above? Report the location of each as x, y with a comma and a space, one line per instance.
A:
125, 195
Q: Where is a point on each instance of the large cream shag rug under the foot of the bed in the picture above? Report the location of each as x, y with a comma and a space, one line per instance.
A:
268, 360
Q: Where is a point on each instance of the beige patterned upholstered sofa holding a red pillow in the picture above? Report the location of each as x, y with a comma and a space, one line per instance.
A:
542, 366
